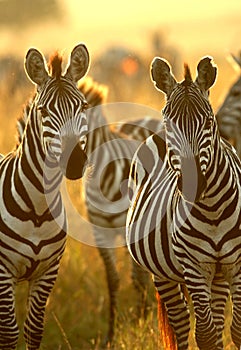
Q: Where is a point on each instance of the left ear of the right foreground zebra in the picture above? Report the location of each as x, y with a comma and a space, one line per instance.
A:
161, 75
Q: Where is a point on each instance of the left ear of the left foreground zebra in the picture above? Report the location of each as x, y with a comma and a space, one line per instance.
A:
35, 67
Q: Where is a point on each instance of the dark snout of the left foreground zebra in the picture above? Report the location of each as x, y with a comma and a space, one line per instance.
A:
73, 160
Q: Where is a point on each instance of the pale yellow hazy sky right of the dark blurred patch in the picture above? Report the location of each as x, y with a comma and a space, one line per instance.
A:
191, 24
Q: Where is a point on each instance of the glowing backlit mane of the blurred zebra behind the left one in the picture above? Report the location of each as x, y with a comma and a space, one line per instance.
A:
94, 92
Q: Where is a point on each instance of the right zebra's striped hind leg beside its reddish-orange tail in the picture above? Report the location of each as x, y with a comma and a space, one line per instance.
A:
177, 310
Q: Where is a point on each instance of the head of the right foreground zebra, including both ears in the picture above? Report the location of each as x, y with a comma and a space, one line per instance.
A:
189, 123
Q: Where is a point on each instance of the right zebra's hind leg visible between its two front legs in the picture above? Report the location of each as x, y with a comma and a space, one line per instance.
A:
219, 296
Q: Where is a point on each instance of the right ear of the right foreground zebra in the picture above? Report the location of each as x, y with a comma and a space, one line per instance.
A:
206, 73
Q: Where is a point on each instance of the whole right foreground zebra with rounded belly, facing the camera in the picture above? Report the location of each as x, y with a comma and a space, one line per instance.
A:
184, 216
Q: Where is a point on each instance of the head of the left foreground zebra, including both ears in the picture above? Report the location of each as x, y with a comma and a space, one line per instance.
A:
60, 108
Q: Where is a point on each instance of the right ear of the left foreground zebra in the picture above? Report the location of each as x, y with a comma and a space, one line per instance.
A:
79, 63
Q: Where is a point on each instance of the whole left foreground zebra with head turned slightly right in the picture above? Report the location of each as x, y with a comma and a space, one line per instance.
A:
32, 216
